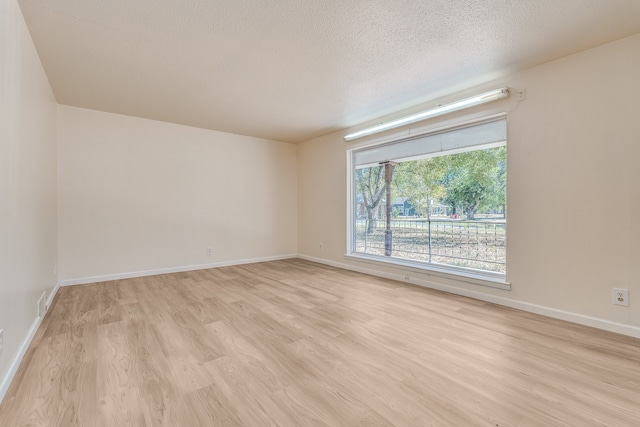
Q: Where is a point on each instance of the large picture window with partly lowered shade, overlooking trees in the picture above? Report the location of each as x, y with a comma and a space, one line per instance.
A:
436, 201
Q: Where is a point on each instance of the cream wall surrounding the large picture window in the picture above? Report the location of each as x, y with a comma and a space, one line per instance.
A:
573, 189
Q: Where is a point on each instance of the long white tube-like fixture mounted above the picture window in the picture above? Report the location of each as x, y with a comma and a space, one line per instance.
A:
482, 98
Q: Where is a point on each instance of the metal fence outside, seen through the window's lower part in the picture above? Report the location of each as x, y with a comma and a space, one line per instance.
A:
471, 244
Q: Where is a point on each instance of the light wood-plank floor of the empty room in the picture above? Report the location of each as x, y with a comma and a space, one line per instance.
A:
293, 343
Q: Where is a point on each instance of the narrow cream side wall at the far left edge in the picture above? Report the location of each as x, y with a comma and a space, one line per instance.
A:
27, 183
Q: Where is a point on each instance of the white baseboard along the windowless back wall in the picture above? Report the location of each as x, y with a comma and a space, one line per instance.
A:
180, 269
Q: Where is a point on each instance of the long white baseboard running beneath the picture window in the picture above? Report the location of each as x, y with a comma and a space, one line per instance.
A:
581, 319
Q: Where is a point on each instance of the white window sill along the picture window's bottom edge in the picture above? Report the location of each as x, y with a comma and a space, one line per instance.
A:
492, 280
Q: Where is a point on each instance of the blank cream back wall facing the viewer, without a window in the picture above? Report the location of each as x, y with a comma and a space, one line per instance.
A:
137, 195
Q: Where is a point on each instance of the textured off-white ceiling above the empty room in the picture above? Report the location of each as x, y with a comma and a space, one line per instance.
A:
293, 69
